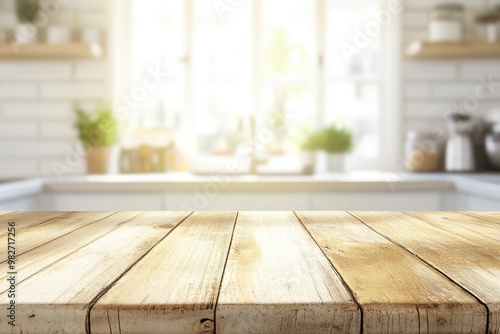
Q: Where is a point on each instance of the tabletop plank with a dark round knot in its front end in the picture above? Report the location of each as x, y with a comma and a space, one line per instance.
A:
174, 288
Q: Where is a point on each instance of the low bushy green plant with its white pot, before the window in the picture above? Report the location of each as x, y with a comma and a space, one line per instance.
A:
335, 142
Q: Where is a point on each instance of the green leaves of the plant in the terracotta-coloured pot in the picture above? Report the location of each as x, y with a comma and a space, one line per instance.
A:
97, 129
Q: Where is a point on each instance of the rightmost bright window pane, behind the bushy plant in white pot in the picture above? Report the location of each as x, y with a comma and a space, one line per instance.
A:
352, 90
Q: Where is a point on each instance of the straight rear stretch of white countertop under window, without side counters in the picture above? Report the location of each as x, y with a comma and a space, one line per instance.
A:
368, 181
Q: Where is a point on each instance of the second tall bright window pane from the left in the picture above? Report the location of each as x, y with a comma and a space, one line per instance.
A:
222, 69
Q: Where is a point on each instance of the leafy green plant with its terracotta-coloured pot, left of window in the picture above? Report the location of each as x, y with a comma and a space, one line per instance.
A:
98, 133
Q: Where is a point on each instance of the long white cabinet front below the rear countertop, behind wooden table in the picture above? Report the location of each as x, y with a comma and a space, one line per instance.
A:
240, 201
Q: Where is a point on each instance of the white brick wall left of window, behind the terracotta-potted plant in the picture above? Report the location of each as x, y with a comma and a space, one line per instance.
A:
37, 97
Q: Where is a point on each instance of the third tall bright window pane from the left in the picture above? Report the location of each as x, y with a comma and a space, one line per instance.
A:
288, 68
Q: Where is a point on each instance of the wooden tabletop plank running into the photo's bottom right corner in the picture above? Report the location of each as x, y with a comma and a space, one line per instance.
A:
471, 264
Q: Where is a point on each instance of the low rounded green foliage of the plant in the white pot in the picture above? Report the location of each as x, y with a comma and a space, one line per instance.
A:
330, 140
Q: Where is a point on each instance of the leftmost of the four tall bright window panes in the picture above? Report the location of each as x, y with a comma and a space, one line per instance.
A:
158, 44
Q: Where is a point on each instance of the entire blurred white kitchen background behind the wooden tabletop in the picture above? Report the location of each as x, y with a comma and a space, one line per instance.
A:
356, 98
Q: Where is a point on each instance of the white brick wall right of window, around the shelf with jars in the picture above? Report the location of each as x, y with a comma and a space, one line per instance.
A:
432, 87
